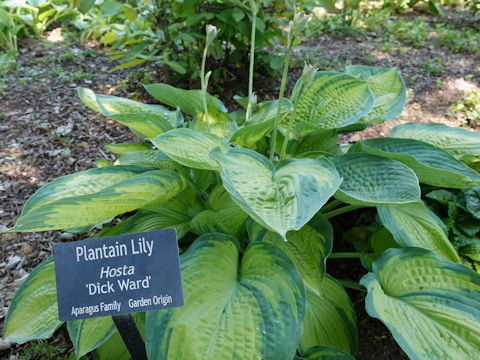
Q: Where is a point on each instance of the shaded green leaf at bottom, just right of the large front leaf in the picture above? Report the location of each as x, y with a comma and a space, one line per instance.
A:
330, 319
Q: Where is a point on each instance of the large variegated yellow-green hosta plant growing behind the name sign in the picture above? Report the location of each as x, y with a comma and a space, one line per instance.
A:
251, 194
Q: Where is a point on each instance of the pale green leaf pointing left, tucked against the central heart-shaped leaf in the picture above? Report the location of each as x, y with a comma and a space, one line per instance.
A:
189, 147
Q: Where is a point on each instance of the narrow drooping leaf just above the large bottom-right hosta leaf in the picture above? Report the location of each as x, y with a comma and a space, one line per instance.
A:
415, 225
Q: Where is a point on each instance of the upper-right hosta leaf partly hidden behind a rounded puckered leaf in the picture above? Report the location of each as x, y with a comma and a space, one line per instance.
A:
388, 89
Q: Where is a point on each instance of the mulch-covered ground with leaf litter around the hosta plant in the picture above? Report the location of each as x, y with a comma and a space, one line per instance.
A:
46, 132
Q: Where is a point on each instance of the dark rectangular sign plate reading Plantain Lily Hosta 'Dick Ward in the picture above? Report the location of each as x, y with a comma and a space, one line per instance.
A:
118, 275
